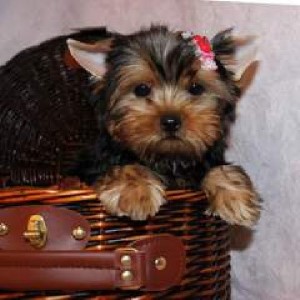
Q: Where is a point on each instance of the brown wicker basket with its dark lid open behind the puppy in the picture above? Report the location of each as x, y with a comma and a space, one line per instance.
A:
45, 118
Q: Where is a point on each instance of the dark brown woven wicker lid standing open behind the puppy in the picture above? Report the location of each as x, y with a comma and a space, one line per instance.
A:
44, 114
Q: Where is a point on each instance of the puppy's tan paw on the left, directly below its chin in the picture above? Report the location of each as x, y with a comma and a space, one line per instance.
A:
132, 191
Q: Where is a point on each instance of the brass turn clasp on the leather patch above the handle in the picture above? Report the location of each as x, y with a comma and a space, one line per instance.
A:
36, 233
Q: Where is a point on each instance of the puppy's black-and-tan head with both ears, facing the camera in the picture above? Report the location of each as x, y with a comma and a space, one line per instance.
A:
160, 99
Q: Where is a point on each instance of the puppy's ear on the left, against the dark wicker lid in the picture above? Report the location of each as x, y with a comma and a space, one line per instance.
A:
92, 57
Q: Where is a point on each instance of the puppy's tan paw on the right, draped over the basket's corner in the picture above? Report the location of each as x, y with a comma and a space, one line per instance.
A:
232, 195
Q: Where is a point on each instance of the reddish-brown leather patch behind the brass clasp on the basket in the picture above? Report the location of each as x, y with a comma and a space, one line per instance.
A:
60, 224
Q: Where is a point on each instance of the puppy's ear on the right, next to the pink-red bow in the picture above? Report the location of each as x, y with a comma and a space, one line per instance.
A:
238, 55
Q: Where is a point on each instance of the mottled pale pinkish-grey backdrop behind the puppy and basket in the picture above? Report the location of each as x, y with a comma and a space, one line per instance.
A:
266, 136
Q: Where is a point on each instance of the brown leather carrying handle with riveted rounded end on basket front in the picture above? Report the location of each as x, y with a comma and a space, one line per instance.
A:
151, 264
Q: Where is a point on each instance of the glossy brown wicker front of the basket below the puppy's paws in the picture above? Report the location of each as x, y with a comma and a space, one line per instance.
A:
206, 238
